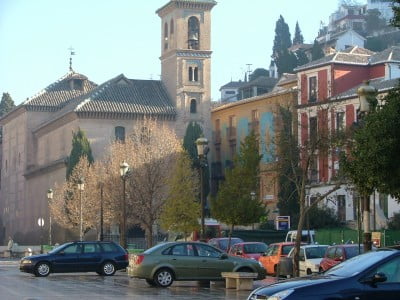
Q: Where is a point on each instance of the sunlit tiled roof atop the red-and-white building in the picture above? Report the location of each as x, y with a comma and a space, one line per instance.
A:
352, 55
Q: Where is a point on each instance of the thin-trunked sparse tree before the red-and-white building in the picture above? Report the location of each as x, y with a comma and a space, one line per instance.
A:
297, 160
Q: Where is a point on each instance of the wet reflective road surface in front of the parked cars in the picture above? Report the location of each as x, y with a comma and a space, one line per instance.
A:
15, 285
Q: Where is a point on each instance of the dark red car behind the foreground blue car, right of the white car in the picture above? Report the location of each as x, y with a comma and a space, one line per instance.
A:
338, 253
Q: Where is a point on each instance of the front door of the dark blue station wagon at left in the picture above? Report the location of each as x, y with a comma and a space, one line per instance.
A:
67, 259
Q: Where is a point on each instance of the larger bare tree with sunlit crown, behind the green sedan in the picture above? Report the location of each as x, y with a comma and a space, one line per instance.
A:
151, 151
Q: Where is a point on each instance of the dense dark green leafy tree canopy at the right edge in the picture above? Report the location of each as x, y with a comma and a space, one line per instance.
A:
374, 159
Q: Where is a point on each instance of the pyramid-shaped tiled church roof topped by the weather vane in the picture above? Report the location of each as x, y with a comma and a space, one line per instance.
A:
58, 93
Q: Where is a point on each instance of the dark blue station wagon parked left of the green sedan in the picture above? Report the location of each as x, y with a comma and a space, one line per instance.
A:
104, 258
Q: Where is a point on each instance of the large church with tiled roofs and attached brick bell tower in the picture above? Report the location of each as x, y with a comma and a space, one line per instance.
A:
37, 134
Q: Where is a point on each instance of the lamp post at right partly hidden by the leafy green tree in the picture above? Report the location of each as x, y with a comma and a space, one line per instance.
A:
366, 92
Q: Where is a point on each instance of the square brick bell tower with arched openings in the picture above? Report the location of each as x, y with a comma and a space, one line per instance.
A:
186, 60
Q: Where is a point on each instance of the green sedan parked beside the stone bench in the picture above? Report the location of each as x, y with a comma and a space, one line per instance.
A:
164, 263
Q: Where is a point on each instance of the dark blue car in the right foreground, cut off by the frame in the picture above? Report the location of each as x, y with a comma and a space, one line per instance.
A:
373, 275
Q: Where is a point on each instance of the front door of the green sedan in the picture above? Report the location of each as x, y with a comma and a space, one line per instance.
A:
210, 262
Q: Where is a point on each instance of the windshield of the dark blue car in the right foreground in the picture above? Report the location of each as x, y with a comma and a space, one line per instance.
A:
357, 264
